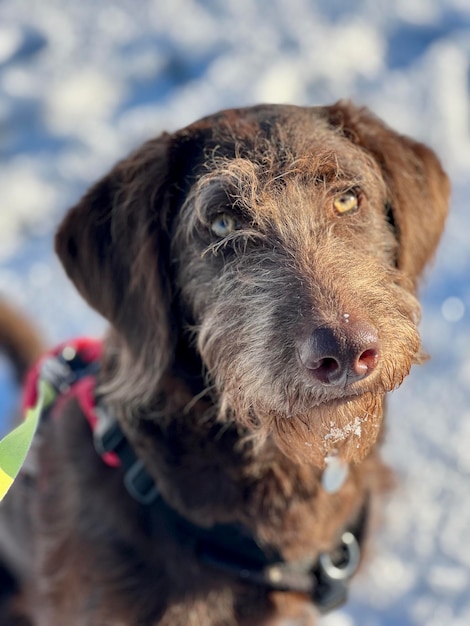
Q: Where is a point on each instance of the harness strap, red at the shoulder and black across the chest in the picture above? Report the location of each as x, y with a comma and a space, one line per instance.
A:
70, 370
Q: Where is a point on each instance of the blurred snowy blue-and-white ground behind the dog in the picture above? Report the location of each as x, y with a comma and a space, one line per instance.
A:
82, 83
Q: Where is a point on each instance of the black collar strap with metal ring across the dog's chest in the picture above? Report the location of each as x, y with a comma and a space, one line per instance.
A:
230, 548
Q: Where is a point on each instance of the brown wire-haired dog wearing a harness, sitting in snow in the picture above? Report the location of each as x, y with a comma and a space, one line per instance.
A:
259, 271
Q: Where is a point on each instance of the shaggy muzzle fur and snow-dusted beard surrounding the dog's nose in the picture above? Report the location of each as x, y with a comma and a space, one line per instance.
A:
248, 345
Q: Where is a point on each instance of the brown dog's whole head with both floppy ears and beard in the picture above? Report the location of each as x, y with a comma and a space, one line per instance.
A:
279, 247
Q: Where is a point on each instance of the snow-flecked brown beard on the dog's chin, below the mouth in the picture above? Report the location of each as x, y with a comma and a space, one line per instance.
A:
309, 423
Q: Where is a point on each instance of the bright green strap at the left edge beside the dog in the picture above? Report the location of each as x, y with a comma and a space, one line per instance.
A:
15, 446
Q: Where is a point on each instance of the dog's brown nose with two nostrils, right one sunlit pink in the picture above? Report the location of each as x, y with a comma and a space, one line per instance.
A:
341, 356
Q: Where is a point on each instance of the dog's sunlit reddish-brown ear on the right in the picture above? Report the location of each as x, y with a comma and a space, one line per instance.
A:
418, 187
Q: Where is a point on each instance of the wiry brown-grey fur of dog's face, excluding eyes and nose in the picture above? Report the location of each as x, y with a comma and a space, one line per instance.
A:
298, 267
